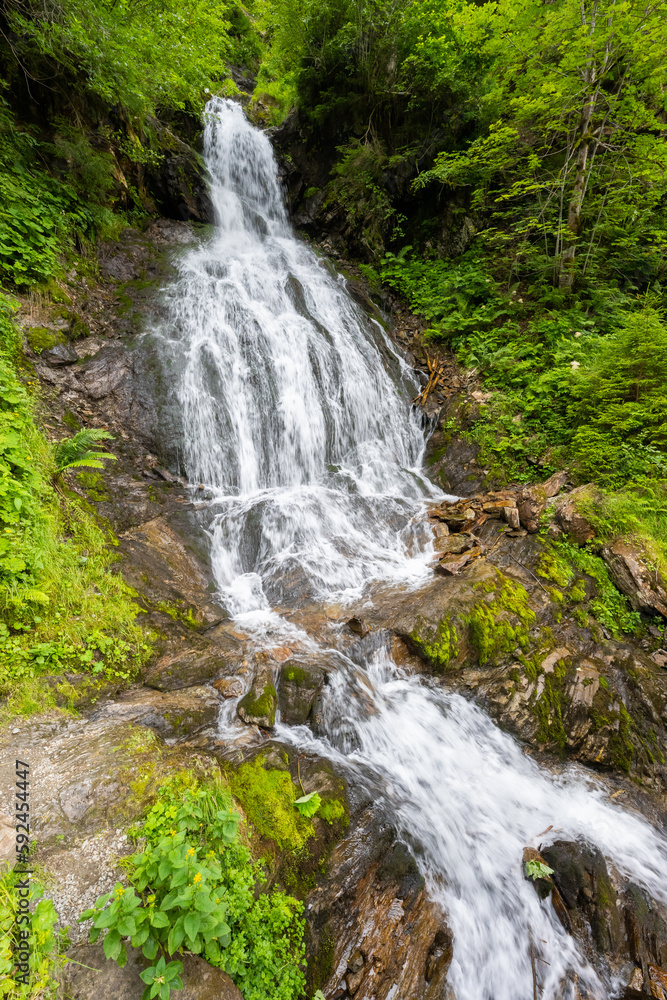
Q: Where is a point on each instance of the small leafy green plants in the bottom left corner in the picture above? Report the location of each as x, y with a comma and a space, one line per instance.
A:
45, 945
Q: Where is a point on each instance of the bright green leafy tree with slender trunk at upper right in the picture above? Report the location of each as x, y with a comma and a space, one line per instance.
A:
574, 147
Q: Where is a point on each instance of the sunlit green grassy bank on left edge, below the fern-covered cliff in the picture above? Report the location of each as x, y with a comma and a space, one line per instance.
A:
60, 608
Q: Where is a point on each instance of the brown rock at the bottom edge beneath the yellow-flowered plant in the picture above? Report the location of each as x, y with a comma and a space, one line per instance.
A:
91, 976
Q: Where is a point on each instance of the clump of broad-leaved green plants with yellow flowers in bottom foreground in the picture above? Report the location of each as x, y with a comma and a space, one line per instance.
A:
193, 888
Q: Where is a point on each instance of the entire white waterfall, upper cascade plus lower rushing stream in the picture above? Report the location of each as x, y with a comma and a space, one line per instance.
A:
297, 420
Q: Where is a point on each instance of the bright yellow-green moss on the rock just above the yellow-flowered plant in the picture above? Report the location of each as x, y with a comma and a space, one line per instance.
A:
267, 797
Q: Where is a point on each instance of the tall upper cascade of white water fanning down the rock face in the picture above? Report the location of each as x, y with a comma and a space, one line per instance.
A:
296, 409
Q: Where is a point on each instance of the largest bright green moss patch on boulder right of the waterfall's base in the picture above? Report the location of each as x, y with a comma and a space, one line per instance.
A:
492, 632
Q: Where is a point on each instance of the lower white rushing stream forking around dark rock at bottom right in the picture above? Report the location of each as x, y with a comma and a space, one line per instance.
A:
467, 799
